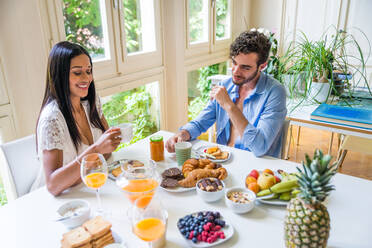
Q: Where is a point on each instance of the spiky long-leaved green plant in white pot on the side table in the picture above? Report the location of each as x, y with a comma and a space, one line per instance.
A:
316, 64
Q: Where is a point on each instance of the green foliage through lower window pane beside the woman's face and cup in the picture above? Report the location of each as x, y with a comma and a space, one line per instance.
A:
131, 106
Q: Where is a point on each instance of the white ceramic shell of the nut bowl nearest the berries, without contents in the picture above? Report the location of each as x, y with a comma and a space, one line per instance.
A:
238, 207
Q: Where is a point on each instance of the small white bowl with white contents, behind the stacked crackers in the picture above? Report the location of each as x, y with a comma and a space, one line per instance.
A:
80, 207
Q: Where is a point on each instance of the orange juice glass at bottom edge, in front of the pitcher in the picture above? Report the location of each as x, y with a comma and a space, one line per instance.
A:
149, 223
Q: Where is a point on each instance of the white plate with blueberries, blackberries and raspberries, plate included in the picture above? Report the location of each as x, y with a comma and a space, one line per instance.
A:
204, 229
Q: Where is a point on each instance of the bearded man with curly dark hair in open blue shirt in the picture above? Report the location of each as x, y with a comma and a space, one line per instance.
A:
249, 108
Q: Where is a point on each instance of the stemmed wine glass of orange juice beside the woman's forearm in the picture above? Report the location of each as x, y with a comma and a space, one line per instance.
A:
94, 172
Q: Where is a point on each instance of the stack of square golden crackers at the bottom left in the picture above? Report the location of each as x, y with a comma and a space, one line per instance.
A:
95, 233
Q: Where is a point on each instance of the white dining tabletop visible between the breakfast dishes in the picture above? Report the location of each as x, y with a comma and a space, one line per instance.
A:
29, 220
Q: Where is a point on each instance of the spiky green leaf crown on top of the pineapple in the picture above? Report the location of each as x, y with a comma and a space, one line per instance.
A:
314, 178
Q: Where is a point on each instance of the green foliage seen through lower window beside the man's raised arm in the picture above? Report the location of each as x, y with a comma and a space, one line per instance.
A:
204, 86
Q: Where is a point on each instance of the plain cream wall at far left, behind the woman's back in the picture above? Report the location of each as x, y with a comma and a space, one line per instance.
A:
24, 58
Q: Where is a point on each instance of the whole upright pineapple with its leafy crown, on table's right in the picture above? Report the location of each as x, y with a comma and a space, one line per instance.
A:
307, 222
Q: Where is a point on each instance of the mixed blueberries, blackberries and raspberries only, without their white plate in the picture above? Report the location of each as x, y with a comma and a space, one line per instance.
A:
202, 227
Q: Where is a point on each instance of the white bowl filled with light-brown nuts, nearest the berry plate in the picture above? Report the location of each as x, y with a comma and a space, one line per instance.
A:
240, 200
